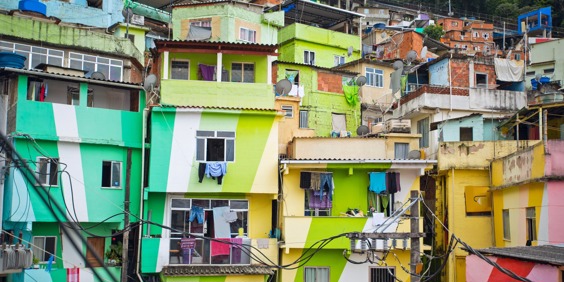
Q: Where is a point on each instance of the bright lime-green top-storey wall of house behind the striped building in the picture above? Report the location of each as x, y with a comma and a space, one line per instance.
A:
297, 38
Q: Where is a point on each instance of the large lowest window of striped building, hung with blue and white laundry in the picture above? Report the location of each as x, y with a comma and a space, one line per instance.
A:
199, 217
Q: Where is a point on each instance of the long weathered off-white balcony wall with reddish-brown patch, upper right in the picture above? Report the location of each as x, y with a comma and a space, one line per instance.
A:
462, 99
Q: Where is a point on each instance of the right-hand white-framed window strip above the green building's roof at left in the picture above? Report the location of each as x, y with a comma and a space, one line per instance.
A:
112, 69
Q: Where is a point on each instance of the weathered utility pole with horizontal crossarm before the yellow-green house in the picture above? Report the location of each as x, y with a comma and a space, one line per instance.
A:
414, 235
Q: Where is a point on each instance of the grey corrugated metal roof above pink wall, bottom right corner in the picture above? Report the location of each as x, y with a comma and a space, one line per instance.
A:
551, 254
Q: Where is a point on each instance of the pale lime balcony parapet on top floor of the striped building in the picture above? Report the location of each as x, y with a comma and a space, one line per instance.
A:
217, 94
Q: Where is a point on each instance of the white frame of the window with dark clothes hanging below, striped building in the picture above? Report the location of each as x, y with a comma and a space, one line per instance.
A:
228, 140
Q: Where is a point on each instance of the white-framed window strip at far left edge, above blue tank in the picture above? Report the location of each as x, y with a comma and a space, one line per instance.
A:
34, 55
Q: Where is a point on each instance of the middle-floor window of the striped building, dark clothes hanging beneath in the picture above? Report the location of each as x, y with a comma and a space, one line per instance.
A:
215, 146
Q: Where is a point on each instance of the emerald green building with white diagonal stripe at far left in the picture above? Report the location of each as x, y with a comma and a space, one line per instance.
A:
83, 138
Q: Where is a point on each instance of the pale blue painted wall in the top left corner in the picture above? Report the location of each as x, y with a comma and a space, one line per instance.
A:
77, 11
